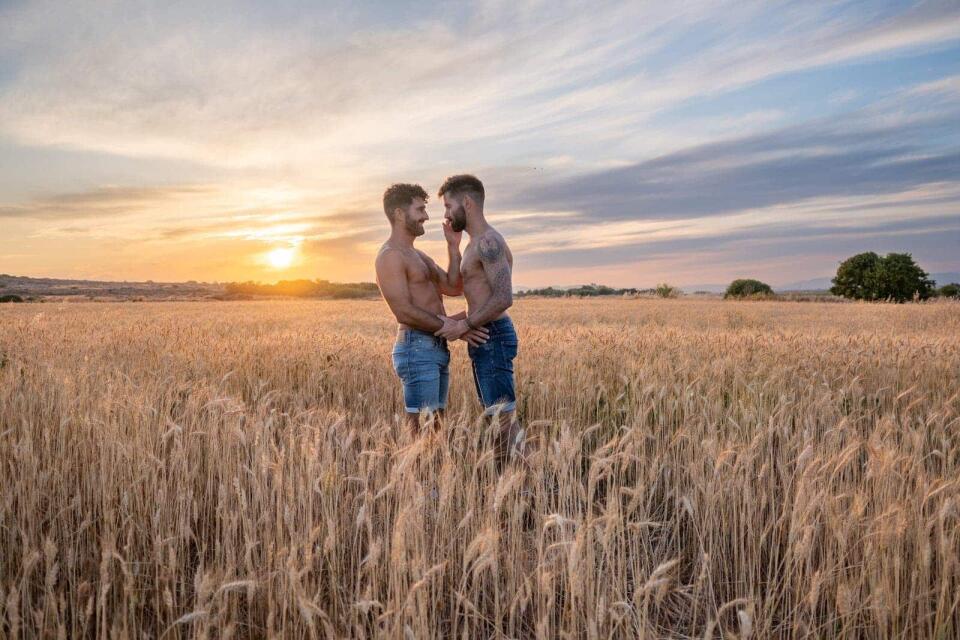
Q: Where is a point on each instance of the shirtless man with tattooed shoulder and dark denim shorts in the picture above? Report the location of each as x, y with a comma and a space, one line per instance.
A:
487, 284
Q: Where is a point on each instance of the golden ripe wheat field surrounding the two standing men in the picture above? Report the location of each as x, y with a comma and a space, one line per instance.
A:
695, 469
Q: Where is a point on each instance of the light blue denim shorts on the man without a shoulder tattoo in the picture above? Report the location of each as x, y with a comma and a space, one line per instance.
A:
422, 361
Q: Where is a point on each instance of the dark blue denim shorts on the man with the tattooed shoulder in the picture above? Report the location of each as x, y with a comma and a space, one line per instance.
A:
493, 367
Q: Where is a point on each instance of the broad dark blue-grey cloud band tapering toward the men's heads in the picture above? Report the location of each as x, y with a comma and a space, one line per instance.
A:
790, 165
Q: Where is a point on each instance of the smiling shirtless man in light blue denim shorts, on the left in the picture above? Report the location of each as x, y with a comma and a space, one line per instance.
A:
413, 286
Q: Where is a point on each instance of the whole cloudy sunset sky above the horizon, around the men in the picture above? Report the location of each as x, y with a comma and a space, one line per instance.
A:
624, 143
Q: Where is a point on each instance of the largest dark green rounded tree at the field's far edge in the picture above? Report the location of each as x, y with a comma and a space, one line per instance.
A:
867, 276
